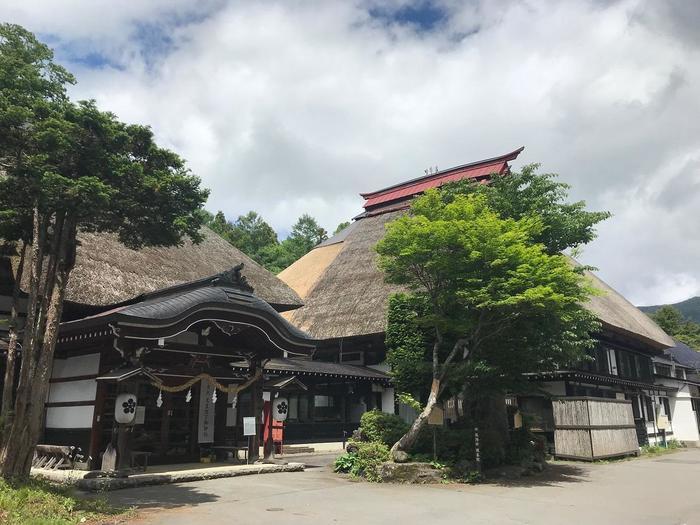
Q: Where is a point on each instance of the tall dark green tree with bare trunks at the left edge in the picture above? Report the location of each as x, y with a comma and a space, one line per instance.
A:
76, 168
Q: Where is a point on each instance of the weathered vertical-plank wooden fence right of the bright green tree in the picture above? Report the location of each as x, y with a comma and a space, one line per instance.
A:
593, 428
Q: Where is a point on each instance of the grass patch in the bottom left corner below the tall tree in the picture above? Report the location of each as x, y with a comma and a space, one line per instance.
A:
37, 502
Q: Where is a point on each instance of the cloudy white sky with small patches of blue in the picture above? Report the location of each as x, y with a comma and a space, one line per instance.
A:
296, 107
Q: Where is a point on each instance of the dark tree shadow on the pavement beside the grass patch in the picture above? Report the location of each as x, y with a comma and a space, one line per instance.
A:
157, 496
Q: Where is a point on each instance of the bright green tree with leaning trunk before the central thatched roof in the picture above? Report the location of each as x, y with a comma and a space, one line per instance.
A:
498, 304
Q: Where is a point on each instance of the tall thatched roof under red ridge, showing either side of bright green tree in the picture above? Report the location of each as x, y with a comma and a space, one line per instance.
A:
345, 294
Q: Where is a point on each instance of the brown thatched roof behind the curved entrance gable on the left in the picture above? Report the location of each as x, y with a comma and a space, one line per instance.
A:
107, 272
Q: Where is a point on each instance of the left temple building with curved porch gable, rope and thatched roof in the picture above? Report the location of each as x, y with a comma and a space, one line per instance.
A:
194, 334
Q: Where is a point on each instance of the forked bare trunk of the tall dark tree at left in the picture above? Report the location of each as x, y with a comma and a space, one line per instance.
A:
18, 449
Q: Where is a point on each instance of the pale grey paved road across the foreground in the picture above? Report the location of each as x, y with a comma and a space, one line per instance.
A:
665, 490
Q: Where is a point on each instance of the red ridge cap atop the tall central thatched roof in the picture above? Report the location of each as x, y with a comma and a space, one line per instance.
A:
479, 170
